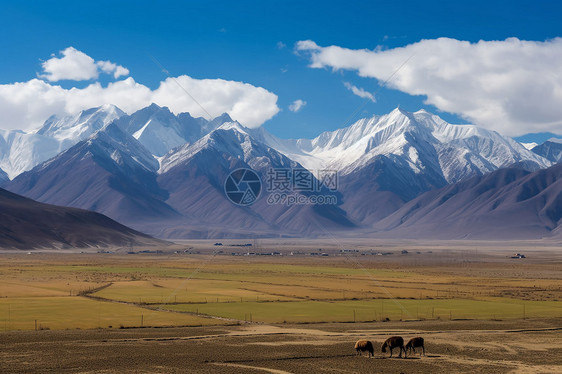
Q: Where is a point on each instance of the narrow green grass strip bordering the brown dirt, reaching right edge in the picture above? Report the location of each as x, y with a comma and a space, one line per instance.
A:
376, 310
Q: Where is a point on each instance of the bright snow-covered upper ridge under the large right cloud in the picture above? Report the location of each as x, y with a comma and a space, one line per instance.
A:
423, 140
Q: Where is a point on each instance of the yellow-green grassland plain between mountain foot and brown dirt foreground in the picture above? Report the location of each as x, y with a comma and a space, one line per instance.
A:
70, 290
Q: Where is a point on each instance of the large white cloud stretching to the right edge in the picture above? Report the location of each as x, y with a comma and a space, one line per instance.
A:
512, 86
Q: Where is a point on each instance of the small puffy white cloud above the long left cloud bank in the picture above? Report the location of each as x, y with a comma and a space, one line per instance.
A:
78, 66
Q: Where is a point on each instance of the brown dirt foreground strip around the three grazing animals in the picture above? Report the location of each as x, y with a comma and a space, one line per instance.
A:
515, 346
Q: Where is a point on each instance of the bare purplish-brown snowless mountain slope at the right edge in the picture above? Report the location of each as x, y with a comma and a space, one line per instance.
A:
509, 203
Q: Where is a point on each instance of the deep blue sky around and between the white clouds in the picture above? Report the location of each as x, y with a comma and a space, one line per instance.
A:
254, 42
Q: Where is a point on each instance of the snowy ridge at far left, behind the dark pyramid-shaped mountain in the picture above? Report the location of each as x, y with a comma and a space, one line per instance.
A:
156, 128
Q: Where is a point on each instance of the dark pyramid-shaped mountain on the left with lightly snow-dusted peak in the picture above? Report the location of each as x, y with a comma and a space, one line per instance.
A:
110, 173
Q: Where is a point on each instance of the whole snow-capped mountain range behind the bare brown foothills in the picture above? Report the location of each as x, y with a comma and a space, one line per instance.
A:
164, 174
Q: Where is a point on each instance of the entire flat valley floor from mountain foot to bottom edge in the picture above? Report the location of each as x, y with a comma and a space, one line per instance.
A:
289, 306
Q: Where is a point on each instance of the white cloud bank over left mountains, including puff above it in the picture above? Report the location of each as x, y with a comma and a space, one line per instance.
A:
26, 105
